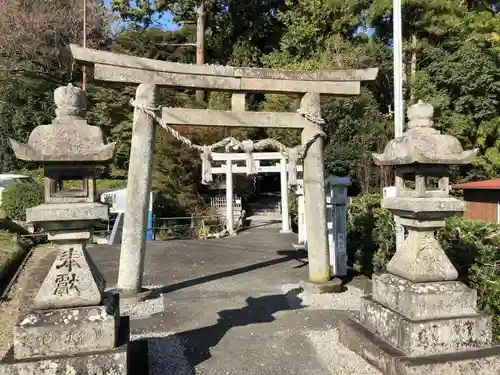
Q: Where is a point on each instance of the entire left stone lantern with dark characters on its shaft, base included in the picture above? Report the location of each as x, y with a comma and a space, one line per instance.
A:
74, 323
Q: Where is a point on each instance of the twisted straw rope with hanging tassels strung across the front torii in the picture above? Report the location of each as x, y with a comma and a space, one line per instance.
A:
293, 155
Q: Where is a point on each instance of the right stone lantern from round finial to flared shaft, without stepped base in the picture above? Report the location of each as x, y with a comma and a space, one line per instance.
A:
421, 159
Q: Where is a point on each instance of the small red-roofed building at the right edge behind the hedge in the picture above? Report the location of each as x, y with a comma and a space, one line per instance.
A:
483, 200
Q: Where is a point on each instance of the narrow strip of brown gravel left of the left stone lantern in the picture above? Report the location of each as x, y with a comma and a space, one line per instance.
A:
19, 298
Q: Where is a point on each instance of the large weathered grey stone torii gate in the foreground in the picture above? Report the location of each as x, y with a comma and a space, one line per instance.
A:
150, 73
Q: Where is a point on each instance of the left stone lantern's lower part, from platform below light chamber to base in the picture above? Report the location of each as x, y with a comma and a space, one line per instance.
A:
74, 327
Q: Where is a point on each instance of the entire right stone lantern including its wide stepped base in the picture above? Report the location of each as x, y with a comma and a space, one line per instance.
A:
419, 319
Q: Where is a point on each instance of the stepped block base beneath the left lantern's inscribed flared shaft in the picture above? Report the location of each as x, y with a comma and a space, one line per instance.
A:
83, 340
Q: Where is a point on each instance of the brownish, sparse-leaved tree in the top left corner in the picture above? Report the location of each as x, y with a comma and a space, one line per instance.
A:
41, 50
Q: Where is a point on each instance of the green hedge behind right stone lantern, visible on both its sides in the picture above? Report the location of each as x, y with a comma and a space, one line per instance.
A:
472, 246
